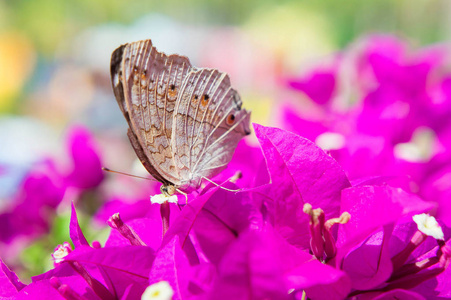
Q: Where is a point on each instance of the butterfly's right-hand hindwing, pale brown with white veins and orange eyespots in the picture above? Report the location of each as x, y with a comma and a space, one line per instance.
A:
208, 124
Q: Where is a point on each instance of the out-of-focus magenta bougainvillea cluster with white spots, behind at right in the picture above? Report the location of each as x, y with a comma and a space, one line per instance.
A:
389, 115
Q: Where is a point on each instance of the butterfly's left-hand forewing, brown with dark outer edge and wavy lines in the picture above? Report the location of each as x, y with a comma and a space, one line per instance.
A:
147, 84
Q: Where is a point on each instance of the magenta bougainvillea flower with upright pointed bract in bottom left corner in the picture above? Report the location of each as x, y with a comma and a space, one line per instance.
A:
85, 272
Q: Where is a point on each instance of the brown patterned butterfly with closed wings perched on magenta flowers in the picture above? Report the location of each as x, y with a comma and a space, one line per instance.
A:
184, 122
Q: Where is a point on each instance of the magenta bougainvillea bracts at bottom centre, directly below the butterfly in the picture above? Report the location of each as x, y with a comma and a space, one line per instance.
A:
223, 242
